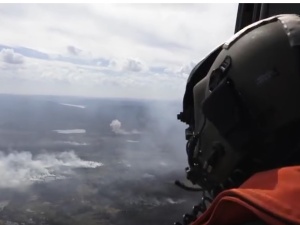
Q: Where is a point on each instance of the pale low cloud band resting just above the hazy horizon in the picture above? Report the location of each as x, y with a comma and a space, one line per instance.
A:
61, 78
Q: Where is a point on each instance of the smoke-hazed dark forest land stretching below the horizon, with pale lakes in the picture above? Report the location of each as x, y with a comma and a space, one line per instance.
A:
67, 160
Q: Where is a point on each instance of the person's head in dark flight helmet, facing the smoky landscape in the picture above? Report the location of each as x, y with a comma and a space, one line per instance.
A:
242, 105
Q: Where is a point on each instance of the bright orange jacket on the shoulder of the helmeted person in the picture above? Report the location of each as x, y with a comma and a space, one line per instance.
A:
271, 196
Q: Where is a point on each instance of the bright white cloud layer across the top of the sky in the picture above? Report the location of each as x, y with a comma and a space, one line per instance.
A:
151, 32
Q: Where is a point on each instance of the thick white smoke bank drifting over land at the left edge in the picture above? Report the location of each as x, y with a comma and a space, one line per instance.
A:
19, 169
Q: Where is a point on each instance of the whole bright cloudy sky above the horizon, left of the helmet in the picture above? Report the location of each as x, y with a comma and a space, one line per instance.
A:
143, 51
